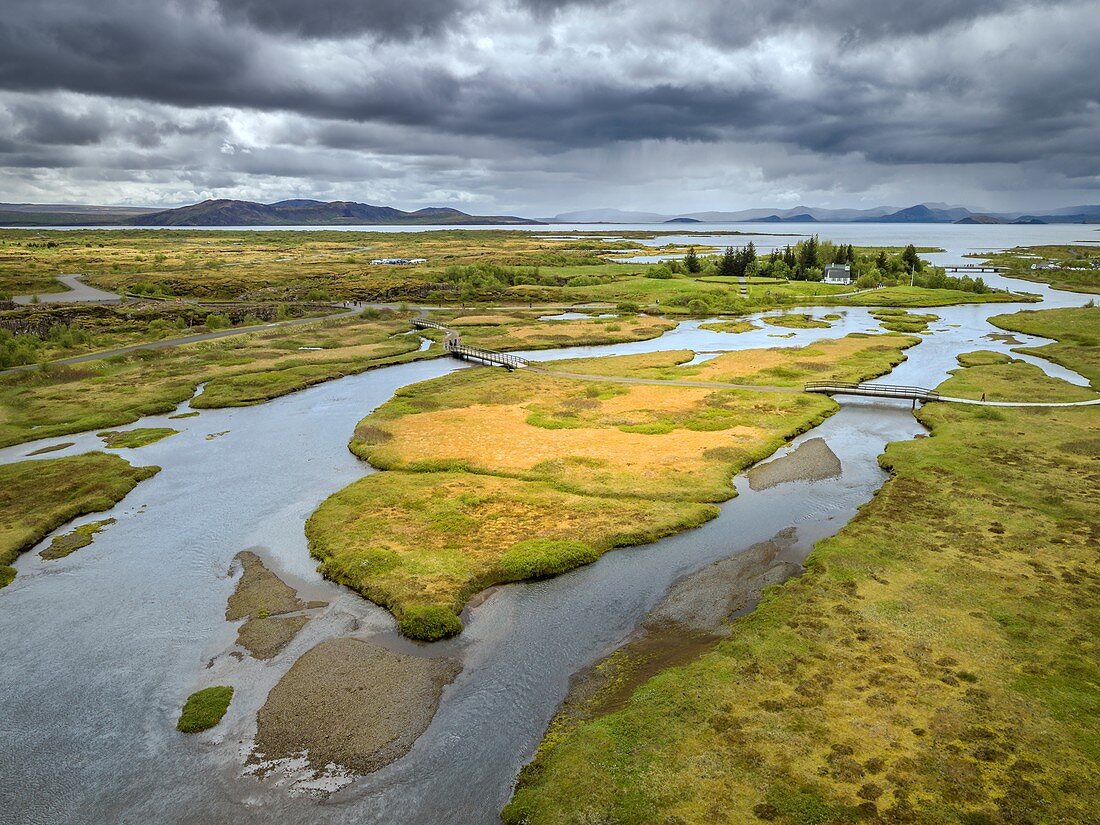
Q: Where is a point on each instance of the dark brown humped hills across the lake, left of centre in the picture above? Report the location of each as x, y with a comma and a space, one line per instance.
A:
224, 213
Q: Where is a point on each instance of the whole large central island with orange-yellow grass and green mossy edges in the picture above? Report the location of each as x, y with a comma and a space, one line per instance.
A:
479, 463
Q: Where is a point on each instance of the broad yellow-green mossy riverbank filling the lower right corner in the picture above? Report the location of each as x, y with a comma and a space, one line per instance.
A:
938, 663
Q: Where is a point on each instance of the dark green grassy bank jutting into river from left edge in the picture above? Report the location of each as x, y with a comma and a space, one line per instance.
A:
40, 497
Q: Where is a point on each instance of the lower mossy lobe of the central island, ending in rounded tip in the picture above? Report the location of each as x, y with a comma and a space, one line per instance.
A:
423, 544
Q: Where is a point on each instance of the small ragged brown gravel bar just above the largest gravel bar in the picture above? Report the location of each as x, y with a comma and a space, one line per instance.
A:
262, 598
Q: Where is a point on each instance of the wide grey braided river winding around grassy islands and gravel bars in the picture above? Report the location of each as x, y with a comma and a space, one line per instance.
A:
102, 648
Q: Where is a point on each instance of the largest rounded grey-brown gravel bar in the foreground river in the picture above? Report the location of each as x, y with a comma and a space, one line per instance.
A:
351, 703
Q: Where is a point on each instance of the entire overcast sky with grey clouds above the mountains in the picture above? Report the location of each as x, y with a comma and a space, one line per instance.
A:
535, 107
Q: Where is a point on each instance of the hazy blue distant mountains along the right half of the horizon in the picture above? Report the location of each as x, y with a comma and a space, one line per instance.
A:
918, 214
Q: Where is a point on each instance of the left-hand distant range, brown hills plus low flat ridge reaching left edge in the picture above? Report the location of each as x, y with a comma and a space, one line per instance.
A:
224, 213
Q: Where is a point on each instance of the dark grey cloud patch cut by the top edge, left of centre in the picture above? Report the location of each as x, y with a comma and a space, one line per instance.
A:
386, 19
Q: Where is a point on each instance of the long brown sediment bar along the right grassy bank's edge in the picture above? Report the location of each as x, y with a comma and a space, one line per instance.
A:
691, 620
